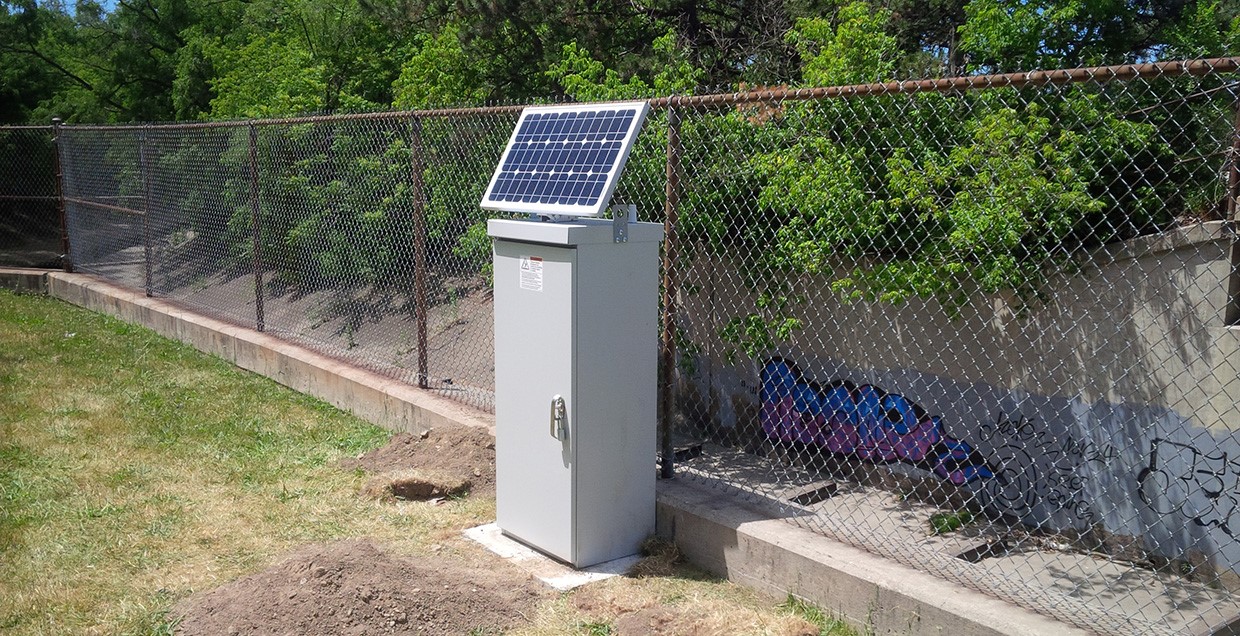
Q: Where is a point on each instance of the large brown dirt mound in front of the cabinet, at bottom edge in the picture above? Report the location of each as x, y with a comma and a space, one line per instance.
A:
355, 588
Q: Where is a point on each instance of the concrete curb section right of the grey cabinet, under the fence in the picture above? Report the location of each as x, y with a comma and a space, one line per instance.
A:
724, 536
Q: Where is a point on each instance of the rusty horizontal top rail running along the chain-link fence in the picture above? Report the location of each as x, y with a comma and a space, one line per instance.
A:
950, 85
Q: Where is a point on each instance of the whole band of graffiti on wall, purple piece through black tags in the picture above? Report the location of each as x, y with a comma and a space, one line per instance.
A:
1035, 470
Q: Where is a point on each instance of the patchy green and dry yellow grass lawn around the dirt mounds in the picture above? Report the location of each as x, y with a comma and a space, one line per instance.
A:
136, 470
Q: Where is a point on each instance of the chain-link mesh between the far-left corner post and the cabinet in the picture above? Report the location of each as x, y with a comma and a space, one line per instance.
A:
329, 232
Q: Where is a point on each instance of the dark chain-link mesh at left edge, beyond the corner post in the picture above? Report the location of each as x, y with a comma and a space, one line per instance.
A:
30, 226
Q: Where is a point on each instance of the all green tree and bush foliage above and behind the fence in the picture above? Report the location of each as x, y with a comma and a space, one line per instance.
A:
885, 199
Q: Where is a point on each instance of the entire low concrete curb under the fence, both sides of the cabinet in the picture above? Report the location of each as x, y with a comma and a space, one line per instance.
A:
712, 529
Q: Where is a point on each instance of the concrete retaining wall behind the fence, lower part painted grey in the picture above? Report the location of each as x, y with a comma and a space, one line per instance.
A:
1110, 407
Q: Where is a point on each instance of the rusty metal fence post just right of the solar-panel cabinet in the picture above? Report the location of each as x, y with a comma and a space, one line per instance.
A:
668, 348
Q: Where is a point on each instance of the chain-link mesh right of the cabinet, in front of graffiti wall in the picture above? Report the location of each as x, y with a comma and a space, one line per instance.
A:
983, 333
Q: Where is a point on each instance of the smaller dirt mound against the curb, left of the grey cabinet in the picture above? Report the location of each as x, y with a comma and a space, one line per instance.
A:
461, 453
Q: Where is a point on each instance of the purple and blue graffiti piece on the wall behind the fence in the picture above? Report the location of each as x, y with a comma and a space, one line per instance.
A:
865, 422
